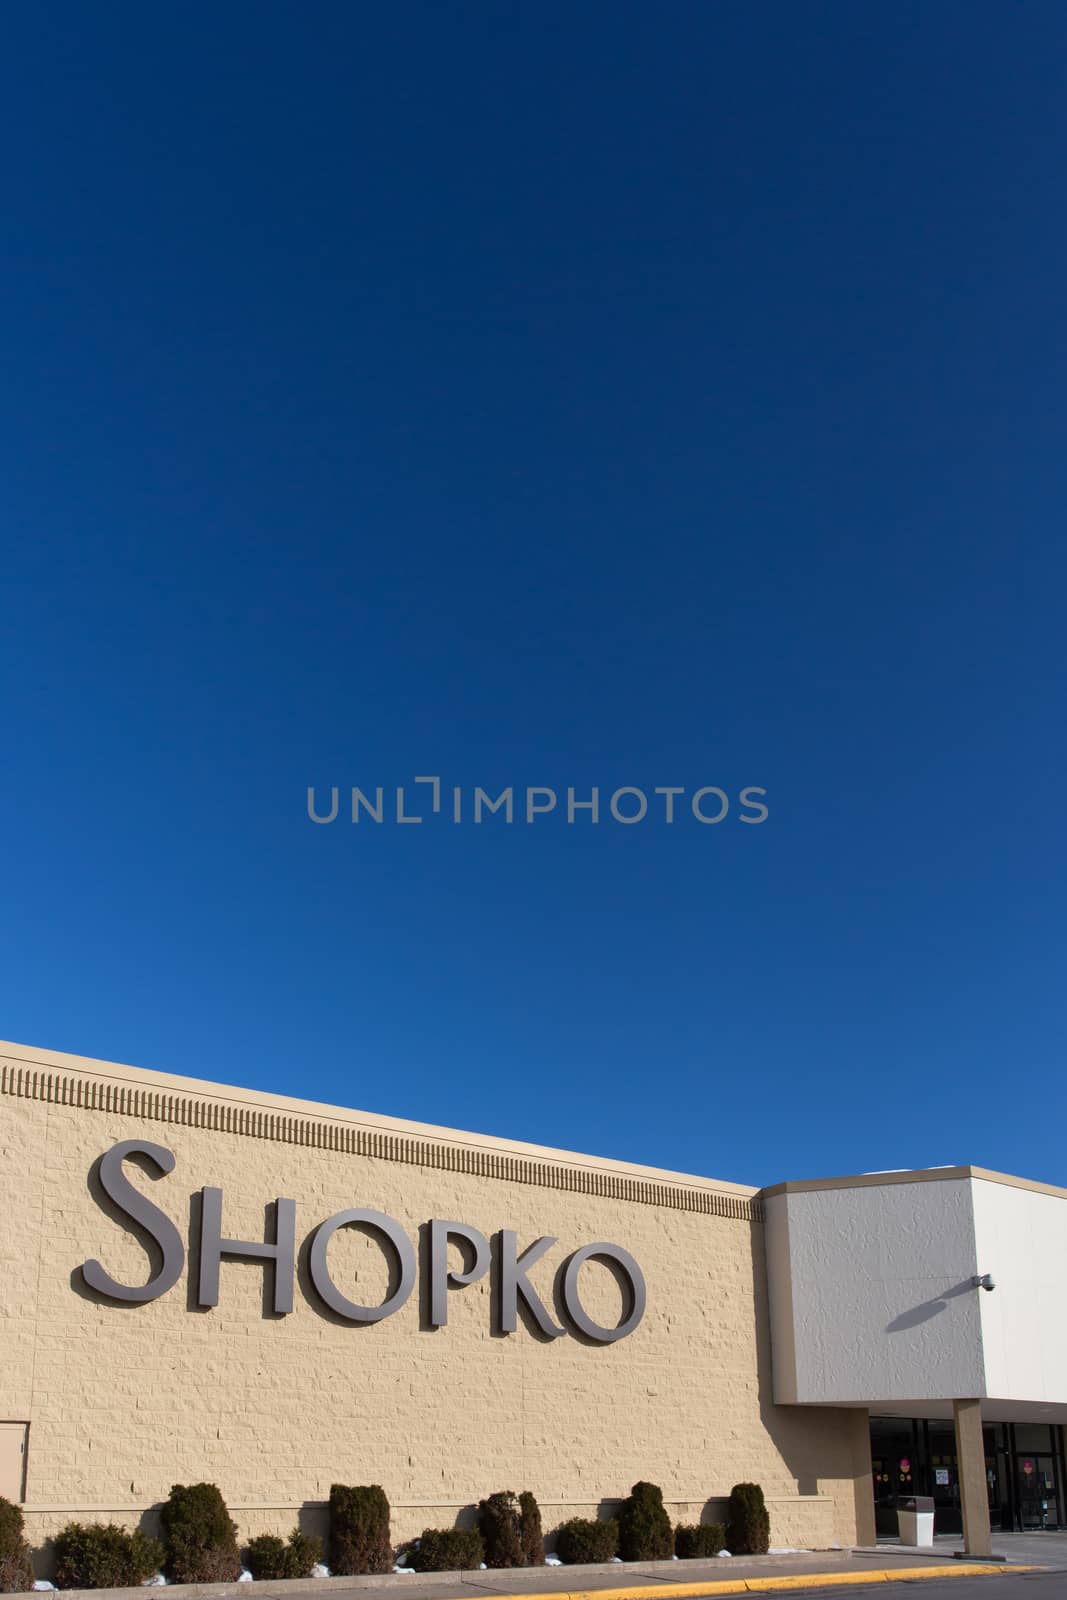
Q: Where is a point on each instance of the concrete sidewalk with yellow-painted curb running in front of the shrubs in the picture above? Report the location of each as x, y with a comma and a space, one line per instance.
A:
609, 1582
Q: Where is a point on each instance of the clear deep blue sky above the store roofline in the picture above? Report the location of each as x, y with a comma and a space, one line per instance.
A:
546, 396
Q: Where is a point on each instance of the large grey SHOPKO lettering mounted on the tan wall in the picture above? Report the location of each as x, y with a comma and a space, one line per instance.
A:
505, 1262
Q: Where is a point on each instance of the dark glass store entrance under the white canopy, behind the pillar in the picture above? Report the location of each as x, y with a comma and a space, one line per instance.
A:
1025, 1473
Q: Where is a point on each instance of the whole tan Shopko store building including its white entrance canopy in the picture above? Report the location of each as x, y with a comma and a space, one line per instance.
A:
214, 1284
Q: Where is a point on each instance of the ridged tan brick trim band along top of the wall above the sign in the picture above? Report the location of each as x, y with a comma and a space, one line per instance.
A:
148, 1105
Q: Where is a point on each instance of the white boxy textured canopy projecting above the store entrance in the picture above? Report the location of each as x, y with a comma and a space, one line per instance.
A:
905, 1292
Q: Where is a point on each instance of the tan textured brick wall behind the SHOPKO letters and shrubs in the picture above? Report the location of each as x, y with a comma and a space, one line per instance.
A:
127, 1401
